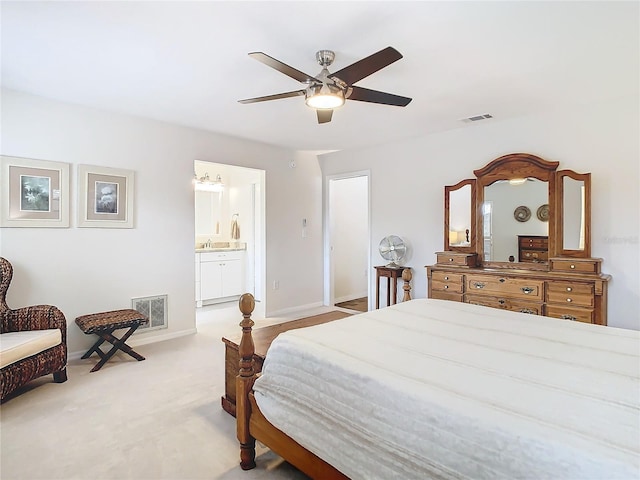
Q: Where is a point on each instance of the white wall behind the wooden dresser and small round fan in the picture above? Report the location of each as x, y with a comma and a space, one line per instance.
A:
600, 138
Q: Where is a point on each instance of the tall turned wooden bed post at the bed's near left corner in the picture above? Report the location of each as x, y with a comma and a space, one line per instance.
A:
244, 384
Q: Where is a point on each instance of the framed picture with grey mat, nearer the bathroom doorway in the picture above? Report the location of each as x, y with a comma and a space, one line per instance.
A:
105, 197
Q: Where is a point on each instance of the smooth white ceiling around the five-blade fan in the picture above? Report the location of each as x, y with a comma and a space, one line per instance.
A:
186, 62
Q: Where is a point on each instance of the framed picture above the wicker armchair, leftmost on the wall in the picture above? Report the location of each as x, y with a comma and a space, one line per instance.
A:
35, 193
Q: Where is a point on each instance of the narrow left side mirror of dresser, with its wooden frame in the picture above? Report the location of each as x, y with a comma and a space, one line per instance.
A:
460, 216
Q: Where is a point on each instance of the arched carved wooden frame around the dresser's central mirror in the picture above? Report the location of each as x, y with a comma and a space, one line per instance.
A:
508, 167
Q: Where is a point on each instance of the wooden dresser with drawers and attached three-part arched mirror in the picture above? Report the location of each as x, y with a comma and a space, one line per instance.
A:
554, 275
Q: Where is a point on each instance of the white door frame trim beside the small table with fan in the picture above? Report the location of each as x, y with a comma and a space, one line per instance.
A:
328, 266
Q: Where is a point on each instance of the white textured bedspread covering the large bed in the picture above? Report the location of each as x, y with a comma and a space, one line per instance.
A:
437, 389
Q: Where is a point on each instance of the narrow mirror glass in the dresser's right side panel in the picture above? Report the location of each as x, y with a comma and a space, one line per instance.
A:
573, 214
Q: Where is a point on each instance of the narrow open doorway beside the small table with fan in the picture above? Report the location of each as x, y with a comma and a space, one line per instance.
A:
347, 245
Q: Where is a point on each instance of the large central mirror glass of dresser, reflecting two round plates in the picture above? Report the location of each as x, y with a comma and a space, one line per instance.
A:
515, 219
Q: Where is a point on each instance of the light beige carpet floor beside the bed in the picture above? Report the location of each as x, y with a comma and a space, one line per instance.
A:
156, 419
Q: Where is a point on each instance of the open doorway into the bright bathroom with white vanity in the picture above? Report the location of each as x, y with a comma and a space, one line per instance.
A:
237, 230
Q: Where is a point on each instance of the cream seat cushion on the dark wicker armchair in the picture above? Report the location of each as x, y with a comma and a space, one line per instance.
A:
14, 346
